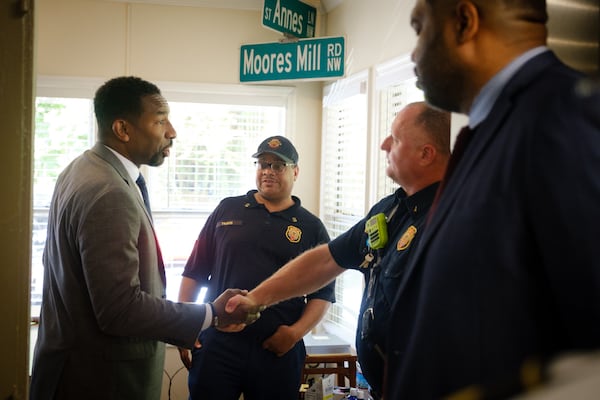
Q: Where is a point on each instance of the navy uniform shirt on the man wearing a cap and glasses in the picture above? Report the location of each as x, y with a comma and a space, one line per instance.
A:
242, 244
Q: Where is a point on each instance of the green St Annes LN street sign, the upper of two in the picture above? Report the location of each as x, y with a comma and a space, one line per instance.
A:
290, 16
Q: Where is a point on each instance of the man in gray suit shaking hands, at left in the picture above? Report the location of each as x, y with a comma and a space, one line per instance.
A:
104, 312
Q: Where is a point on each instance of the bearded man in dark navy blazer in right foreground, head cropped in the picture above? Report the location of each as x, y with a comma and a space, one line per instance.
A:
508, 273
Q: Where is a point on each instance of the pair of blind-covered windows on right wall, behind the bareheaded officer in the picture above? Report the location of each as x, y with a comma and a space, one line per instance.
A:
354, 167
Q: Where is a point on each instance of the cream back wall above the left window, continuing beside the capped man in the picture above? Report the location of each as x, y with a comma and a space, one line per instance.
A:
103, 39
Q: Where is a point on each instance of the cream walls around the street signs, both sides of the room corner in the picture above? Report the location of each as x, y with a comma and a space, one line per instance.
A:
103, 39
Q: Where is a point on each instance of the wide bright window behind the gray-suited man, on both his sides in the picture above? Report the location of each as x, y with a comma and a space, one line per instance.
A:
218, 129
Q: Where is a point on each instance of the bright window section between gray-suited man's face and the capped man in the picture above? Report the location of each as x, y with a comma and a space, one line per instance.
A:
210, 160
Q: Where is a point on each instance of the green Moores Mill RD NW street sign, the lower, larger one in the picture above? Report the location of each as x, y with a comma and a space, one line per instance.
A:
305, 59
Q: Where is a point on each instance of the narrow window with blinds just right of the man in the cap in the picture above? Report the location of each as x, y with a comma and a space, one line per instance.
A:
343, 184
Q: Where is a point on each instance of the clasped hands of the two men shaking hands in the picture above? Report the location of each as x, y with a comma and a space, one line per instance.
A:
234, 309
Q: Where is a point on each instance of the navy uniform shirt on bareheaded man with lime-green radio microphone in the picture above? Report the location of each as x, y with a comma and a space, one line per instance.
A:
408, 218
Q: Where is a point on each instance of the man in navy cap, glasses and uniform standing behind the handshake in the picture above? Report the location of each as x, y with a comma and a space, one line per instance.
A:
245, 240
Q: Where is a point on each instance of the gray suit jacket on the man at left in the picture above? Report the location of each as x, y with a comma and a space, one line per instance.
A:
103, 309
